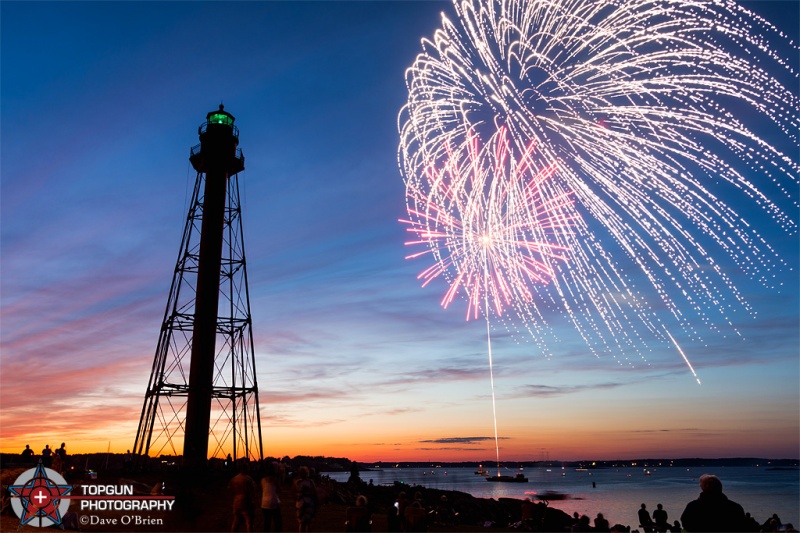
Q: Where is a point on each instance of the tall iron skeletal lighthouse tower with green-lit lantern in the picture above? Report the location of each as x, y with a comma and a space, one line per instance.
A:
212, 403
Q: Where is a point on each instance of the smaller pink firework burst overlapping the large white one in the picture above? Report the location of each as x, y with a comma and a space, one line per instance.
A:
491, 223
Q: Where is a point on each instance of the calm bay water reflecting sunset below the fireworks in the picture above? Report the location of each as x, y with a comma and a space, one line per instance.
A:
617, 492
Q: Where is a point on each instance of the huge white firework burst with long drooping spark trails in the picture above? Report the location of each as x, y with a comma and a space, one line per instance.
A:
647, 112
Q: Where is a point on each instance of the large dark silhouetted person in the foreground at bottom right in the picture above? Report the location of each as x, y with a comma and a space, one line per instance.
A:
712, 510
